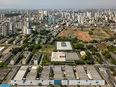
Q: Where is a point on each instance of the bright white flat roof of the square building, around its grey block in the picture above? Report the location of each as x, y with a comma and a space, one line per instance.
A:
60, 47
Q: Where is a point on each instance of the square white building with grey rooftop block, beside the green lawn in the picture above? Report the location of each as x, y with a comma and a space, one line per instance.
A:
63, 46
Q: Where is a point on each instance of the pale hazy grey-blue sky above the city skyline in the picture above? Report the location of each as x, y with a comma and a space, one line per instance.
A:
57, 4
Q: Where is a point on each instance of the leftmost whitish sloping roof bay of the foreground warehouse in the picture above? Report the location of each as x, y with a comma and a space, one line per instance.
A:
21, 73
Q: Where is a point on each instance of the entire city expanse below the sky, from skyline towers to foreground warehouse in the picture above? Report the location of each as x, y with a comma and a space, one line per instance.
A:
58, 48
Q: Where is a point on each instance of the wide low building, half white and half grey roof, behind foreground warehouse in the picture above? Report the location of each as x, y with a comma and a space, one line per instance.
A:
65, 56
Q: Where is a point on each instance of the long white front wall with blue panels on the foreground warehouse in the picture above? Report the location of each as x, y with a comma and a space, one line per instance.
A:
56, 82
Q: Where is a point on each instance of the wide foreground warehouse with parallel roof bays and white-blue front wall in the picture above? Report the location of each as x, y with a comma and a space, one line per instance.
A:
66, 75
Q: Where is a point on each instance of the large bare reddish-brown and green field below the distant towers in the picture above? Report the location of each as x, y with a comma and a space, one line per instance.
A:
98, 33
